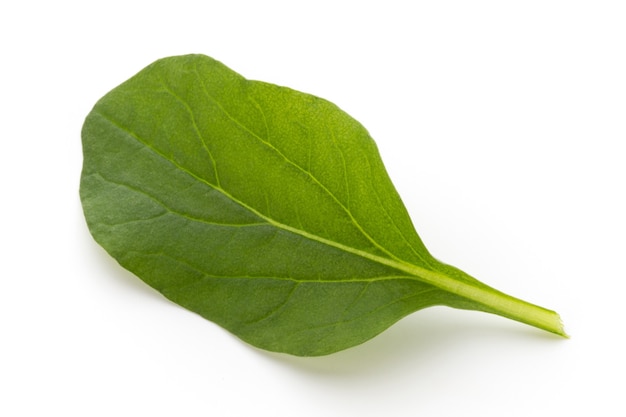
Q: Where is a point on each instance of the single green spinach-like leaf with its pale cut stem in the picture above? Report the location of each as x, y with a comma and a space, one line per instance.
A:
265, 210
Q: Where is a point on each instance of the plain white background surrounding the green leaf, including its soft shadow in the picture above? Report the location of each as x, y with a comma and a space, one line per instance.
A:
501, 123
